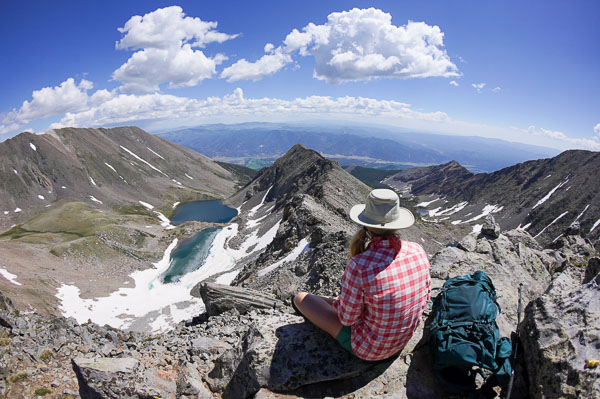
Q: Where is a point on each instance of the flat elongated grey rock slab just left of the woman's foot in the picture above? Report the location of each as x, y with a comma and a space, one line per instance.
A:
219, 298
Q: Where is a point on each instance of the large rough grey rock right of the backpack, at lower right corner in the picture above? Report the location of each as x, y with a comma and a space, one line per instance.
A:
560, 332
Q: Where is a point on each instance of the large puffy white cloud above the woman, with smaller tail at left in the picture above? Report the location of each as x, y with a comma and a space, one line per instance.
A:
360, 44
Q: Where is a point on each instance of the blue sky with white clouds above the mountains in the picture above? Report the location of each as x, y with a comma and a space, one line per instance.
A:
520, 71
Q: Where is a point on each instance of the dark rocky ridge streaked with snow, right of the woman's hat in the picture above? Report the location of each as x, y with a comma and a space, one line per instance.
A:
543, 196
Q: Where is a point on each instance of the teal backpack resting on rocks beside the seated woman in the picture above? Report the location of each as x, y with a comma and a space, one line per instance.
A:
465, 339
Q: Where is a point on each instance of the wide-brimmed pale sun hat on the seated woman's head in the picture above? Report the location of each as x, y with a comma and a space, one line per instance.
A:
382, 211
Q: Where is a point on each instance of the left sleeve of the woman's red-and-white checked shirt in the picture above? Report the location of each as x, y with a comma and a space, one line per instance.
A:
350, 302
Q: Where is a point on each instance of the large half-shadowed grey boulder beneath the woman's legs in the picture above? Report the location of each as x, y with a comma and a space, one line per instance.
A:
281, 353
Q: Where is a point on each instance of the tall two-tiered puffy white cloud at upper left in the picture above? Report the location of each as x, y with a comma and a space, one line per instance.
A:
166, 40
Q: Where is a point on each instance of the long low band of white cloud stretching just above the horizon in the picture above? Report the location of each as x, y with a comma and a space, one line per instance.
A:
126, 108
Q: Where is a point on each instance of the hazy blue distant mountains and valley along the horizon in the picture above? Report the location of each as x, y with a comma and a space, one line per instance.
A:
260, 144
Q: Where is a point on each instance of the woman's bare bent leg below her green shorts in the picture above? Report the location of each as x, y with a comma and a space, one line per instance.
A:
320, 311
